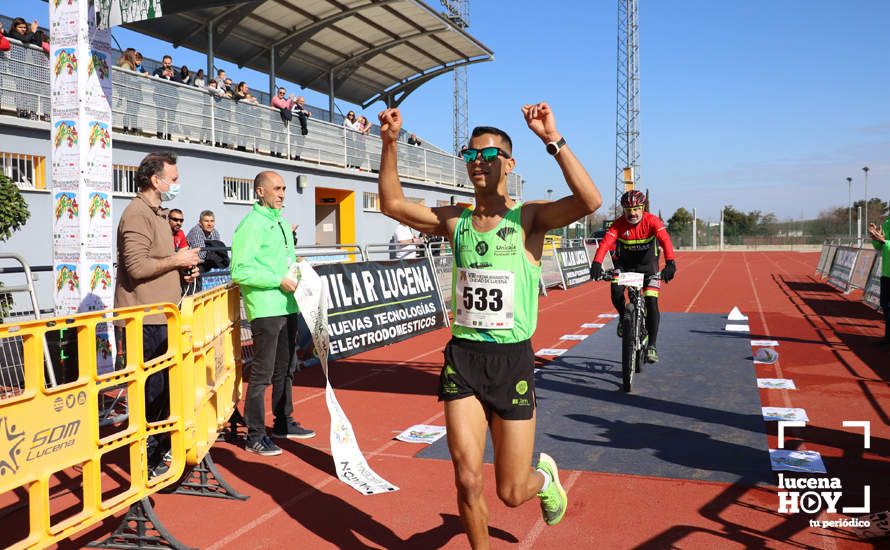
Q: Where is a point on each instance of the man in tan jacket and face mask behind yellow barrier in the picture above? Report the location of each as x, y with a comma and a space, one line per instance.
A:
148, 272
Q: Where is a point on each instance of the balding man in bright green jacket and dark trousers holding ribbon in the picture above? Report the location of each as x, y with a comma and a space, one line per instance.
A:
262, 252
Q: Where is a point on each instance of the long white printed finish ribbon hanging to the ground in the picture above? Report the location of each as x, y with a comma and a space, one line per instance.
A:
349, 463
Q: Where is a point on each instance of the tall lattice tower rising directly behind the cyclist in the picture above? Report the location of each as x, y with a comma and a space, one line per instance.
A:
627, 130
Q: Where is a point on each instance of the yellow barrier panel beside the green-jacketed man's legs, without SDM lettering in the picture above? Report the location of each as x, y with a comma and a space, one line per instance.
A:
211, 326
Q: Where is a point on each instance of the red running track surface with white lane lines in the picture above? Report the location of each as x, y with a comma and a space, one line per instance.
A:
825, 346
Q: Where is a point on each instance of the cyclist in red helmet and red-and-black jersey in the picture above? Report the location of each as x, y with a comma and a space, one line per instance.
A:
636, 237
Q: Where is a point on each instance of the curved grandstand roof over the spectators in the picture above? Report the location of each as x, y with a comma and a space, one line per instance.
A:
376, 49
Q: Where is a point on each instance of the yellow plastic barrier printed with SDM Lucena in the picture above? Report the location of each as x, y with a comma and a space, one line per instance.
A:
44, 431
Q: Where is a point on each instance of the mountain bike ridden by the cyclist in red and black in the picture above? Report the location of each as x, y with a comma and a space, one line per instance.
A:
634, 337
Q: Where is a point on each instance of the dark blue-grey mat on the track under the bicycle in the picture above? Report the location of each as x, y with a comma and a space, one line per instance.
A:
694, 415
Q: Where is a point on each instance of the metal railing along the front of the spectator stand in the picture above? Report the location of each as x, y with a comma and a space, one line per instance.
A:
145, 105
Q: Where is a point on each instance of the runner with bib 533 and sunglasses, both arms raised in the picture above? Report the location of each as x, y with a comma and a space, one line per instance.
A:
487, 381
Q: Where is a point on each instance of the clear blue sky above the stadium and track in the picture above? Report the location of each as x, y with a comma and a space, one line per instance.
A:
764, 105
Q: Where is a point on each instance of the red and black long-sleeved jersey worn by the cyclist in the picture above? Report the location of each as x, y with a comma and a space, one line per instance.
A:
636, 246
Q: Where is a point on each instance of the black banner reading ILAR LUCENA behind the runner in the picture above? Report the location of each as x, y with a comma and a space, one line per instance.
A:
377, 303
